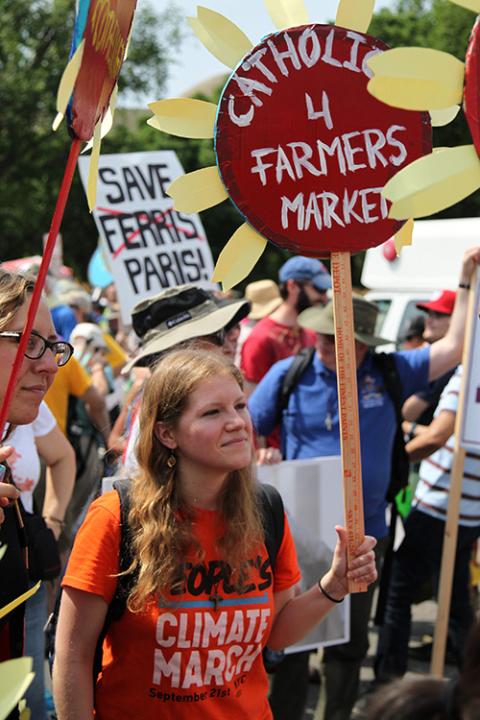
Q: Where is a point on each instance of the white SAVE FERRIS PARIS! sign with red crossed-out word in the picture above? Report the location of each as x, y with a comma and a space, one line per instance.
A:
147, 244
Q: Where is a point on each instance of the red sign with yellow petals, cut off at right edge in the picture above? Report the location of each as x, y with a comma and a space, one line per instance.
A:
421, 78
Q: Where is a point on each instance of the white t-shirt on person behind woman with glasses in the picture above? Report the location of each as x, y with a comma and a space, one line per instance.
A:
25, 461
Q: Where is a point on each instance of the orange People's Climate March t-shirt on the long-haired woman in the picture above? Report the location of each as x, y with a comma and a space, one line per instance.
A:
183, 658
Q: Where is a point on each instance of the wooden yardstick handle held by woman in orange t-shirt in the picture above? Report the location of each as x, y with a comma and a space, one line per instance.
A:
348, 405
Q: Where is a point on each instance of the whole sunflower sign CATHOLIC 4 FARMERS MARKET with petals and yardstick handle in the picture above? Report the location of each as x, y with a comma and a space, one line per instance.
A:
303, 151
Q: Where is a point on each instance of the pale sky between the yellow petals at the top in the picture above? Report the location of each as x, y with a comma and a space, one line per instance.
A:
195, 63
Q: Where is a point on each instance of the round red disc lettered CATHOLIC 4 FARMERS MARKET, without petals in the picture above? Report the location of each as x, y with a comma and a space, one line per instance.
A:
304, 150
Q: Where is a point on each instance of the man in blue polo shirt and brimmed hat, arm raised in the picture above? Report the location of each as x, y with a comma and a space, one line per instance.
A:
310, 428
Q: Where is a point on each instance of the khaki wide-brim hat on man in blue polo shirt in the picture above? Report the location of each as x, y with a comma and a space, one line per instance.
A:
320, 319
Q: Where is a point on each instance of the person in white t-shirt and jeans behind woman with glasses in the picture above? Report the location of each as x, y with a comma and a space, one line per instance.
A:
41, 440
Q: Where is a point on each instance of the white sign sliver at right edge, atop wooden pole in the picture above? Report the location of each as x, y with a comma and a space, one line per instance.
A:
470, 434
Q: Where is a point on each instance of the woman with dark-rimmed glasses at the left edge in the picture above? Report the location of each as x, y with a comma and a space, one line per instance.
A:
43, 355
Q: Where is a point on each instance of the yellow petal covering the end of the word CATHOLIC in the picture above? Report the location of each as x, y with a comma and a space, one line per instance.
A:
416, 78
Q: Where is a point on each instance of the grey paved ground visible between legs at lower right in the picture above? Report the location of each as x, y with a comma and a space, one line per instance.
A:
422, 628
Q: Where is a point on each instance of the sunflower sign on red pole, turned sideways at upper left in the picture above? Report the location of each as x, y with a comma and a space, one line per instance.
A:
100, 38
